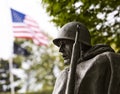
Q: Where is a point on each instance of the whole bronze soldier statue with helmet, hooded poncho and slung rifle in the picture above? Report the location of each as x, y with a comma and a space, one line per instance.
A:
93, 69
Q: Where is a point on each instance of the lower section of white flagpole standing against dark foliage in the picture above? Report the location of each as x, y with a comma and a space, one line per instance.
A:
11, 76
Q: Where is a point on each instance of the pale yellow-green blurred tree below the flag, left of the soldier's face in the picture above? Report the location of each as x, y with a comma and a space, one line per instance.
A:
41, 64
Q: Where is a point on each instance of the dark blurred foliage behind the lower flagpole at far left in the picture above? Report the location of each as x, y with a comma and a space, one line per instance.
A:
5, 74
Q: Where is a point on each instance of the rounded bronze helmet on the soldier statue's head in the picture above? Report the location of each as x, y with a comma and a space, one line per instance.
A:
68, 31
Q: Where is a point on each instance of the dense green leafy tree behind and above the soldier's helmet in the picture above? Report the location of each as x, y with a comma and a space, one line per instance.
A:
102, 17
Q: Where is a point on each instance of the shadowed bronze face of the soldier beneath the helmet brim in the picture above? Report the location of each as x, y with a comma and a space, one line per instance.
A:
66, 50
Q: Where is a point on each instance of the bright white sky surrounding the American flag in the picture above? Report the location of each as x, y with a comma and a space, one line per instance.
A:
32, 8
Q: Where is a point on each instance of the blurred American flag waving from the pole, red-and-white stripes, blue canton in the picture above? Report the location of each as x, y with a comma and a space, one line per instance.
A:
25, 27
